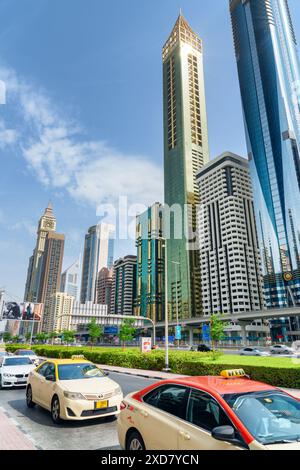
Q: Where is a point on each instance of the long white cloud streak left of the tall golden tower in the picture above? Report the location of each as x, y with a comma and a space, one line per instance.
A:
56, 151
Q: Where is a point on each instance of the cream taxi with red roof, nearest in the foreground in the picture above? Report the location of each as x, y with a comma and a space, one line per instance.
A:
229, 412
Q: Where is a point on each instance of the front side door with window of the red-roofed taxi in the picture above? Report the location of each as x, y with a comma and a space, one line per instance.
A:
203, 415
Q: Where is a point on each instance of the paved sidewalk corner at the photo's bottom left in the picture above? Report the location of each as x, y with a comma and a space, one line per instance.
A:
11, 436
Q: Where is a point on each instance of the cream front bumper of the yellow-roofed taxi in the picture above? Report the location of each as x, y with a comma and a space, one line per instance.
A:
85, 409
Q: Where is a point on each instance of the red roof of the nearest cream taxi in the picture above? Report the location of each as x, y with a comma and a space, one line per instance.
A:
223, 386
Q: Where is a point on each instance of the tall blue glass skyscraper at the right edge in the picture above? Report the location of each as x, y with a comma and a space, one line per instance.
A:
268, 68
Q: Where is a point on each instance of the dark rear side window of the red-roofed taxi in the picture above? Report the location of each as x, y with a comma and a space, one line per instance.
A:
169, 398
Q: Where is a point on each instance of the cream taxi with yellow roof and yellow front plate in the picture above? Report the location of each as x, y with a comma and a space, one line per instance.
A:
73, 389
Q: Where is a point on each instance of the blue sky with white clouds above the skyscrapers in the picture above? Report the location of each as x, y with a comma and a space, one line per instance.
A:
83, 118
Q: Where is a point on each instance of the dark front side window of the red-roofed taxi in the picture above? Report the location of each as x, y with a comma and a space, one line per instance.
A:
204, 411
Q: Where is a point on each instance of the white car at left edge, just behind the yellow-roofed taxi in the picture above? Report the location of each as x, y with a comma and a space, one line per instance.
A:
14, 371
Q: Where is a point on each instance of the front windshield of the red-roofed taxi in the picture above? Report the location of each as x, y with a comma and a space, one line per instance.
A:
271, 417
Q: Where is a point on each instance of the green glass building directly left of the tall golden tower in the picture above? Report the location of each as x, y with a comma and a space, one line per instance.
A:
150, 264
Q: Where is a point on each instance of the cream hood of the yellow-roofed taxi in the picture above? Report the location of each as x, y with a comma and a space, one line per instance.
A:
85, 386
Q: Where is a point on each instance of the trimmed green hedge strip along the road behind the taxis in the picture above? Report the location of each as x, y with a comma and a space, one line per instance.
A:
281, 372
